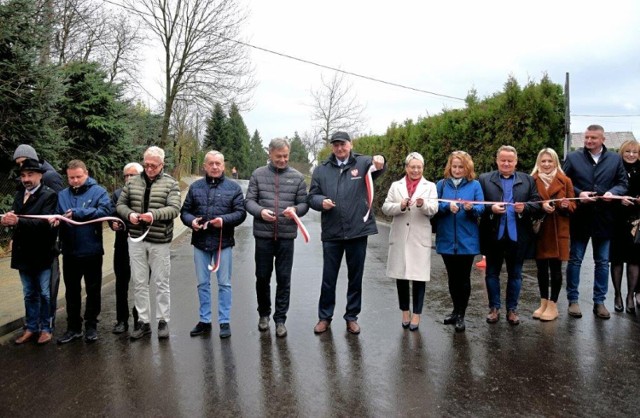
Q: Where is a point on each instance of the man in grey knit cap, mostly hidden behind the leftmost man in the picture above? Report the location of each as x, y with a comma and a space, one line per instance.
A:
52, 179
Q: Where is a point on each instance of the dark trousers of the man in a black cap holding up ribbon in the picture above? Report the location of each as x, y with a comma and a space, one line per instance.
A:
332, 251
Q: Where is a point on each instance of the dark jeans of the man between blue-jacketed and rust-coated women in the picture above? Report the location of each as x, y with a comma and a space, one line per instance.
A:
505, 251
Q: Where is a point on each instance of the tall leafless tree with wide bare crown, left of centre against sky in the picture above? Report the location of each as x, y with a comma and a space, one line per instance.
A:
203, 64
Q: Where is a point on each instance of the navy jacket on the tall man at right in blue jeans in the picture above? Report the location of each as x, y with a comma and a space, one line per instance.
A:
609, 175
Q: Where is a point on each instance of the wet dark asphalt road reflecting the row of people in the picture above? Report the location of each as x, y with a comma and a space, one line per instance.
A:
569, 367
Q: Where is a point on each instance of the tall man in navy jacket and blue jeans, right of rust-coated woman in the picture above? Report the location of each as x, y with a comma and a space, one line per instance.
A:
595, 172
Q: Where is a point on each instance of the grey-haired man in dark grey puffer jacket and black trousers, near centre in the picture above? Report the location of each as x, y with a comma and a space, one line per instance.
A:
275, 192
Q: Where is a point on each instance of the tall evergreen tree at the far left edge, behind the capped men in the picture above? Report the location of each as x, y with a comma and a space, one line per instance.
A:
29, 90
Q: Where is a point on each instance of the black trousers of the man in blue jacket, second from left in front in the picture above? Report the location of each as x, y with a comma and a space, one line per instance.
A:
74, 269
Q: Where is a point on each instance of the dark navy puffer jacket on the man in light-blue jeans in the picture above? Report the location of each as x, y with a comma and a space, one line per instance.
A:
211, 198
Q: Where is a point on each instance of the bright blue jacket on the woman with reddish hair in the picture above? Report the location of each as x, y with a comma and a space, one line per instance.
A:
458, 233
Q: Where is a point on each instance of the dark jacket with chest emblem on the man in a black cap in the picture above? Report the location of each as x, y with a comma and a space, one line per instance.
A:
346, 187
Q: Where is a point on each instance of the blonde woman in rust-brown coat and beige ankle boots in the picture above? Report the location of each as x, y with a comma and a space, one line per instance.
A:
552, 245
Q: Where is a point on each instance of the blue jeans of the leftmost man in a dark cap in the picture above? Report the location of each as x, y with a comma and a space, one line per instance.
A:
37, 299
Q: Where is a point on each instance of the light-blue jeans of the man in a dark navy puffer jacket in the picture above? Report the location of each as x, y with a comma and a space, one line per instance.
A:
202, 260
